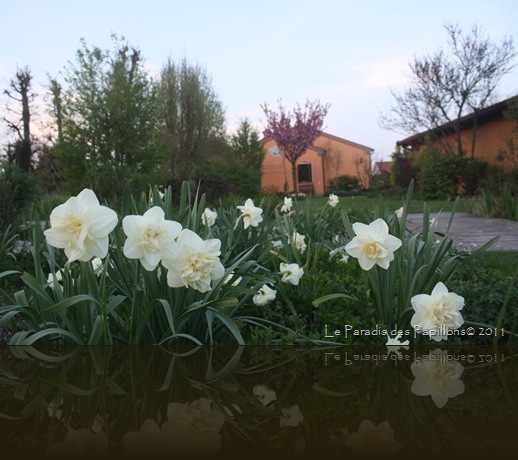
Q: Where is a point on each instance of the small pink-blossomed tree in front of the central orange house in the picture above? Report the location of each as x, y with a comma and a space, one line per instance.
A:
295, 132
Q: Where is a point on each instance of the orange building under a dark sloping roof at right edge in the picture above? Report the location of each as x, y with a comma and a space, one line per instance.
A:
496, 137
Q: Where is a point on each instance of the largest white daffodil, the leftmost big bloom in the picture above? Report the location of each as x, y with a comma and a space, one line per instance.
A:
81, 227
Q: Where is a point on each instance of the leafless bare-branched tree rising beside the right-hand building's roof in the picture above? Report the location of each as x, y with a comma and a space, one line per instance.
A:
446, 85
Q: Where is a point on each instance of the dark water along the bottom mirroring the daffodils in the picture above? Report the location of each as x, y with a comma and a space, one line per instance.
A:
259, 402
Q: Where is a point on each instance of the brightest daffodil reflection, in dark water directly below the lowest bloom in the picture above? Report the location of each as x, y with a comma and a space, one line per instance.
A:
438, 377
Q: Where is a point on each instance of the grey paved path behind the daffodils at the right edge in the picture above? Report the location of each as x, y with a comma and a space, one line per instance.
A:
468, 230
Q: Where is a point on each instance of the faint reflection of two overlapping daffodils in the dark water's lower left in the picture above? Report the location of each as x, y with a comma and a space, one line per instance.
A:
190, 429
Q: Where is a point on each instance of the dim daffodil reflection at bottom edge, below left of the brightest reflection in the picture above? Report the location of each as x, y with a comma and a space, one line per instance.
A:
373, 440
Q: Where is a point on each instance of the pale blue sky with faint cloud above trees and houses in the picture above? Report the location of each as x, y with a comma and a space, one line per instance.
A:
346, 53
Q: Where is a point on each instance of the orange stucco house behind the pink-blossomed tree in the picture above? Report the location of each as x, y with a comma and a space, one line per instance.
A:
328, 158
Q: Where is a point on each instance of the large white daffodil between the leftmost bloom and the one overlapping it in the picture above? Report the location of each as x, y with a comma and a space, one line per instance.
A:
149, 236
